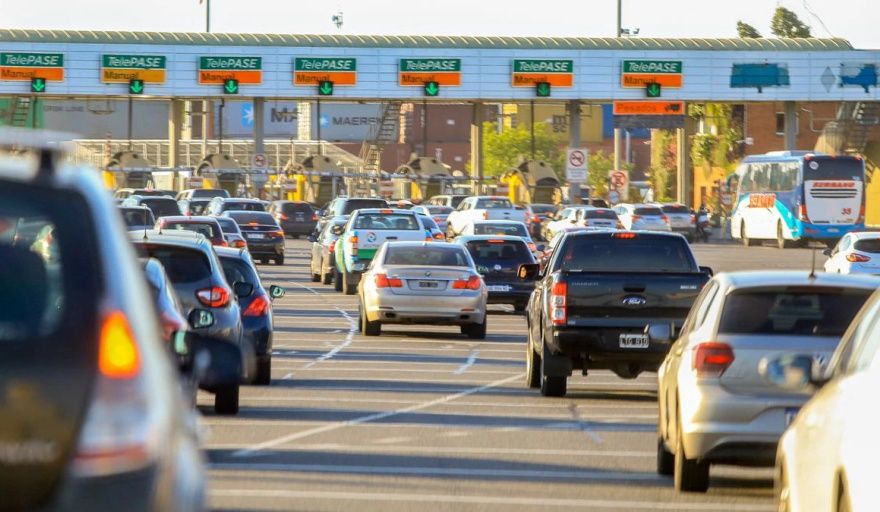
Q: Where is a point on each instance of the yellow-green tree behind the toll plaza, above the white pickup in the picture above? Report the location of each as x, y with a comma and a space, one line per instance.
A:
504, 150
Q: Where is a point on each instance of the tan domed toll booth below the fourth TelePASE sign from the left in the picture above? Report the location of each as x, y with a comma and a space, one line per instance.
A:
317, 179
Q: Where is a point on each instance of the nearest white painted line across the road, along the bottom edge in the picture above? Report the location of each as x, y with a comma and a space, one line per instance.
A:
516, 501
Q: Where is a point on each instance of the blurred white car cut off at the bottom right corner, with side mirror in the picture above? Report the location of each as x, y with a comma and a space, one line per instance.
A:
827, 459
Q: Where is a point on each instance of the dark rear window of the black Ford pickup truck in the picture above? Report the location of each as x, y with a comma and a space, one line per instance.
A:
639, 254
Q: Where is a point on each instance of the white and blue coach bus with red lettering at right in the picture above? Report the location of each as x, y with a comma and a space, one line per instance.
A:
796, 196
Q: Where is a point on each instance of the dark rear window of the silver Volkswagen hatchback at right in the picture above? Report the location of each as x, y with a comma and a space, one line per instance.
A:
800, 311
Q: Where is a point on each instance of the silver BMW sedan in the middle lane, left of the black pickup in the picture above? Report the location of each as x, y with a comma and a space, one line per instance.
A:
422, 283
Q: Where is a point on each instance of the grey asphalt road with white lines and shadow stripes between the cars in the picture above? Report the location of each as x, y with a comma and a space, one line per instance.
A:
423, 418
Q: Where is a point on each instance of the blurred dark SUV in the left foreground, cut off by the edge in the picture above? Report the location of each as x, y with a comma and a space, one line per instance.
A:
90, 407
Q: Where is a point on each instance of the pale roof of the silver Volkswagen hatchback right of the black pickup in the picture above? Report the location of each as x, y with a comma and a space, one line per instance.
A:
764, 278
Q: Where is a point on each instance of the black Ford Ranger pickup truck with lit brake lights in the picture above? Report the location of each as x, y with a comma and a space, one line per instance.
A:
608, 300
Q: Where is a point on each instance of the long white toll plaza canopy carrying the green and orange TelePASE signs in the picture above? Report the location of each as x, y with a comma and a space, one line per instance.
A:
198, 65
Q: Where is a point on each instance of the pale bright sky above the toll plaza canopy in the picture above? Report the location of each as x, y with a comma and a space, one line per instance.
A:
855, 20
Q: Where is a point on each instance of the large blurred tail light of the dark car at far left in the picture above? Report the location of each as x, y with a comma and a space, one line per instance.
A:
119, 431
